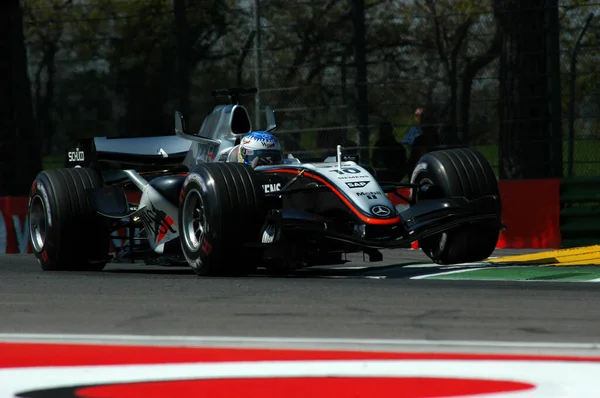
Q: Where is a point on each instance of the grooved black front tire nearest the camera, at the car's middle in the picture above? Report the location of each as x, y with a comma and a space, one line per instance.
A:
233, 214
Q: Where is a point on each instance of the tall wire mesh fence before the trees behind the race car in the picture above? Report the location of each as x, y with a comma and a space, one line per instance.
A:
113, 67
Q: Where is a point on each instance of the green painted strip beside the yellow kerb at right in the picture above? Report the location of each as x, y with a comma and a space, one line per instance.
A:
571, 274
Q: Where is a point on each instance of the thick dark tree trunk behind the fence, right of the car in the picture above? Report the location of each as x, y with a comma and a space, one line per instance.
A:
527, 134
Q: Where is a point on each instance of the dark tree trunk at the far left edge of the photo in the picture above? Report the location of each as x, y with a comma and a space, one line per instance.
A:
20, 158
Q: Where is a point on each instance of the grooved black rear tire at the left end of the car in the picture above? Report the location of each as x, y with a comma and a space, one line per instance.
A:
65, 231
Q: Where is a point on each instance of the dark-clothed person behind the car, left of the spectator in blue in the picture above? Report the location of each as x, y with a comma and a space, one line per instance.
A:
389, 155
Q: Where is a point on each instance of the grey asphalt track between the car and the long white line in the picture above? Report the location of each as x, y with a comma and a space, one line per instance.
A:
321, 303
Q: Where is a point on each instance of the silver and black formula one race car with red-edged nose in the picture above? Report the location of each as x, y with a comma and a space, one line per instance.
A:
198, 205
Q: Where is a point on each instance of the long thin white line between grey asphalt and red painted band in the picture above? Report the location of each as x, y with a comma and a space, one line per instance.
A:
284, 340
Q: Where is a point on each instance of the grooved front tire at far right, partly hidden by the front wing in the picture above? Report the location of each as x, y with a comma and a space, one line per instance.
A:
459, 172
